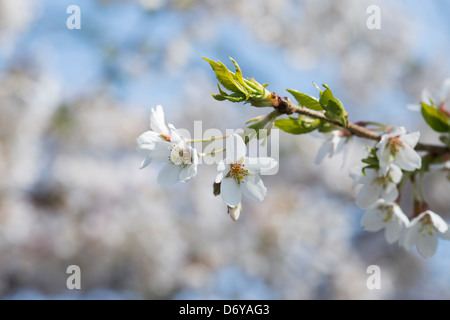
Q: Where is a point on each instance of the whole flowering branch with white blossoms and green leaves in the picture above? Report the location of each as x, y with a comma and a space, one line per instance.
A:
390, 164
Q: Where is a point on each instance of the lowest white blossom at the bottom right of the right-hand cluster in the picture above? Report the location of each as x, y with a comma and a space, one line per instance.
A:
424, 231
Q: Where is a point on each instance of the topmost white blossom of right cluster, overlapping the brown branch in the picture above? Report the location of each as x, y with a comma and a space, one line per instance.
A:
398, 147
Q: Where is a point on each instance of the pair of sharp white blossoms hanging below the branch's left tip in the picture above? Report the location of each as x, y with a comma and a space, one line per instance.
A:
237, 174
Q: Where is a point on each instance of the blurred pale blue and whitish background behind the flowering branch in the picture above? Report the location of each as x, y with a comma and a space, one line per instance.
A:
72, 103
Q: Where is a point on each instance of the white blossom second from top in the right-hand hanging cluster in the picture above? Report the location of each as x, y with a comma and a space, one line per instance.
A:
376, 187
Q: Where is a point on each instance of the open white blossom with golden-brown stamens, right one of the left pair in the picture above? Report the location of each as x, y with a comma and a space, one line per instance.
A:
239, 174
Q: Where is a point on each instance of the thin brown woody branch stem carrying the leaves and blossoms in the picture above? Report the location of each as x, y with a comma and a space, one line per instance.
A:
285, 106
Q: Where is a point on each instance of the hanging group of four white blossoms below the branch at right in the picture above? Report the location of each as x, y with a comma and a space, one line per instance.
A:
379, 194
